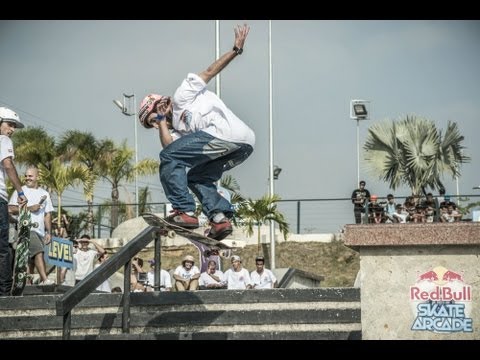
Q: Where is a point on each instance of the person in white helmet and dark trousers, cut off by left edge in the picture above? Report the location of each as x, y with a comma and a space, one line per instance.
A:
9, 122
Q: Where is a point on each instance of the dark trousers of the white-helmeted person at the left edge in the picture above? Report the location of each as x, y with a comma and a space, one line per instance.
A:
5, 252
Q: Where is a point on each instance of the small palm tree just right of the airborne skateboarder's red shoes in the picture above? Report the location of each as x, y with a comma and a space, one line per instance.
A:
257, 212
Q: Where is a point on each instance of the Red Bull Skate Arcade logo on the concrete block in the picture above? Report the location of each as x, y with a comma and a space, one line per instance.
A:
441, 301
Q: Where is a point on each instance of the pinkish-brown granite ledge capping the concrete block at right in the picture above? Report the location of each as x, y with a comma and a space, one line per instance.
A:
461, 233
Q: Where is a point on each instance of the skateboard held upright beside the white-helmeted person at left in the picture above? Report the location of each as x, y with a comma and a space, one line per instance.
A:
22, 251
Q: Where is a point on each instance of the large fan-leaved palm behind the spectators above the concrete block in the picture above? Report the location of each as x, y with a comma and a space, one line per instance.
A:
414, 153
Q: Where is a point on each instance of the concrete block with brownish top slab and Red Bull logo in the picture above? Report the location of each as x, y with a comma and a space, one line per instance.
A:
418, 281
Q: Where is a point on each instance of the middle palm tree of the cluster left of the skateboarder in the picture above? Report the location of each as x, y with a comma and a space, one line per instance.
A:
83, 148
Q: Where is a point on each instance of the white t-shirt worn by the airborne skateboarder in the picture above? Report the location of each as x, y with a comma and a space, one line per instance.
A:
196, 108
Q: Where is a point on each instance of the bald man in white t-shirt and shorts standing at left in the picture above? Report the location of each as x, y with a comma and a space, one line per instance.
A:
41, 208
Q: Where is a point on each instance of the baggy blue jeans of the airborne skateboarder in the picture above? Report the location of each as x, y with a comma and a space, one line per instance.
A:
208, 158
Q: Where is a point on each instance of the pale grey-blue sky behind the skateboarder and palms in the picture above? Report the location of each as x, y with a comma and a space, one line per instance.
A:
64, 75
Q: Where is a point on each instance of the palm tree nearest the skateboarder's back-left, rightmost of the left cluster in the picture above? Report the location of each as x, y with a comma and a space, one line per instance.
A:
121, 169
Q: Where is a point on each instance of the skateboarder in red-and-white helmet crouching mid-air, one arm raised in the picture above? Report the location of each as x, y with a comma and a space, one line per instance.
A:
198, 131
